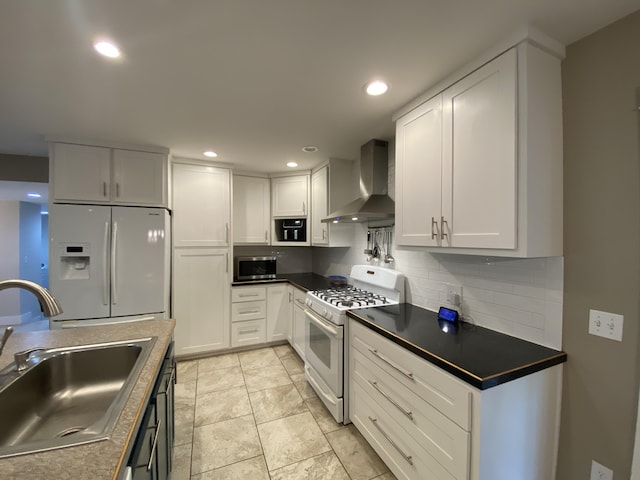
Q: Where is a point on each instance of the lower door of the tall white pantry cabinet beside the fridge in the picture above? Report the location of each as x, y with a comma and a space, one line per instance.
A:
201, 285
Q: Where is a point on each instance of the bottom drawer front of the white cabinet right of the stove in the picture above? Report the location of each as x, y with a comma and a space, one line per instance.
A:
404, 457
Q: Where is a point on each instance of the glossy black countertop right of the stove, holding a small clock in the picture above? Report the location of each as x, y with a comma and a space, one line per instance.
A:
481, 357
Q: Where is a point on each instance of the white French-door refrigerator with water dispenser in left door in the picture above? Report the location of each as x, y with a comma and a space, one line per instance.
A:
108, 264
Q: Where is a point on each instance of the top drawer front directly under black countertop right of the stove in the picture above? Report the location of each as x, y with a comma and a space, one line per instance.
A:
444, 392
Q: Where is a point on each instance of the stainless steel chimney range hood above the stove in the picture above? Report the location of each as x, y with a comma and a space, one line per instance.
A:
375, 204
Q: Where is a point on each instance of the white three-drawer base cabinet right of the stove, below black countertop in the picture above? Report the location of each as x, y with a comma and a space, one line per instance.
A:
427, 424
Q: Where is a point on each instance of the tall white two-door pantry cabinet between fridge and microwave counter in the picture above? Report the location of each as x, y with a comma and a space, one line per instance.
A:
201, 257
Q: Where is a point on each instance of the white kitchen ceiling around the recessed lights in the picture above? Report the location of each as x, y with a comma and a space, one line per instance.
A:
254, 80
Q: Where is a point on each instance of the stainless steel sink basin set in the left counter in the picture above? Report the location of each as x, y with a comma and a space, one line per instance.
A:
68, 396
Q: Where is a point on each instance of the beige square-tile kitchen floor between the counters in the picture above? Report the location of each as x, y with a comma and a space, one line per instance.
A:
252, 415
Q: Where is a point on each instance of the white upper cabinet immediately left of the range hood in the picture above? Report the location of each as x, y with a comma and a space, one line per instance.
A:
330, 189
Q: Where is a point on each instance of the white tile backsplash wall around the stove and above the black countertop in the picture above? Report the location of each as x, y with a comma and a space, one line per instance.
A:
520, 297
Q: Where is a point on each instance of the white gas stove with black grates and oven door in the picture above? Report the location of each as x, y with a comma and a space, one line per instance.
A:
325, 323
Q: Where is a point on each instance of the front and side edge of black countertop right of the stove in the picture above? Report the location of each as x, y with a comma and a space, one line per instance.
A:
481, 383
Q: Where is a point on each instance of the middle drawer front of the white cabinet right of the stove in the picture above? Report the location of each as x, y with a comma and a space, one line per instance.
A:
442, 438
